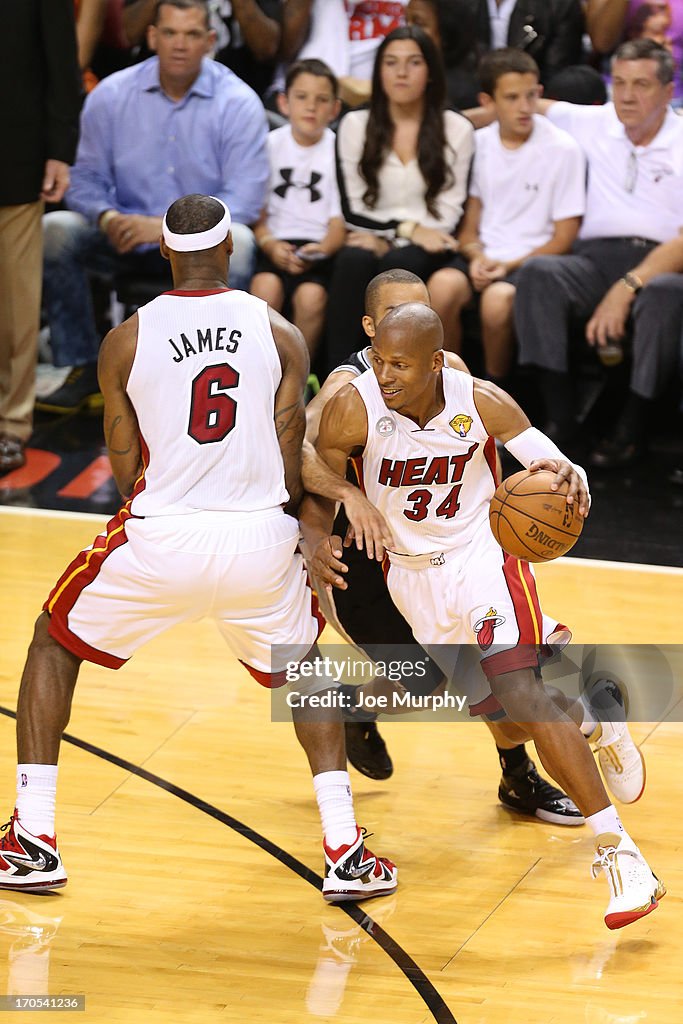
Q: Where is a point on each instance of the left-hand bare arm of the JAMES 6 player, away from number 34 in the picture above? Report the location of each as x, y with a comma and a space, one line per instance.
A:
122, 433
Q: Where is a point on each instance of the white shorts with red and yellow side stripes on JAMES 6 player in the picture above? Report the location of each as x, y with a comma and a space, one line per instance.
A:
143, 576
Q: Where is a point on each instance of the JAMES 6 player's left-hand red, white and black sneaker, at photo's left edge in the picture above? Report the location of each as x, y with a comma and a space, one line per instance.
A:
30, 864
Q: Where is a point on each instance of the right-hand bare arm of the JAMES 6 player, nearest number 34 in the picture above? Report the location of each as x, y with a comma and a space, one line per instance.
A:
290, 416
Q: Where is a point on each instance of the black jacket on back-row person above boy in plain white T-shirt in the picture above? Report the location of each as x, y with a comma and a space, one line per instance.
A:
550, 31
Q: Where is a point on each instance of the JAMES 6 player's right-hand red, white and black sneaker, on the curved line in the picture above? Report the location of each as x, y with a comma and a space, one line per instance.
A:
353, 873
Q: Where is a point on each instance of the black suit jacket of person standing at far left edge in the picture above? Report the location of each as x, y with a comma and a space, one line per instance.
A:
40, 91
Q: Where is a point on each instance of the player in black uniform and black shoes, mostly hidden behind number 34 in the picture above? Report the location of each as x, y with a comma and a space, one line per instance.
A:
365, 609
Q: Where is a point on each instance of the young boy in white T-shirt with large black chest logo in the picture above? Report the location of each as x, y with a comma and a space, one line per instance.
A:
302, 224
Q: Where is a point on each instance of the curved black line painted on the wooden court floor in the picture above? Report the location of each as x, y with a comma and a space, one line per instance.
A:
425, 990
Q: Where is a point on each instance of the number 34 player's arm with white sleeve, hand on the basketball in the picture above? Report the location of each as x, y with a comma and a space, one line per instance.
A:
504, 419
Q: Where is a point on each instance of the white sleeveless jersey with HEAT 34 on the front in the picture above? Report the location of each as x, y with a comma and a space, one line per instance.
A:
432, 484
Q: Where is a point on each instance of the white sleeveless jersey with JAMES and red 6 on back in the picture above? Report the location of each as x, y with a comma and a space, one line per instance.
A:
203, 386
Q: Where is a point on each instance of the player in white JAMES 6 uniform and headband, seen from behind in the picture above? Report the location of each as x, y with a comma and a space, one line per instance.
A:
190, 381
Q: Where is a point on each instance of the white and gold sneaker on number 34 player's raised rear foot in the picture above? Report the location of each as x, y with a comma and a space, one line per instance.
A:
622, 763
